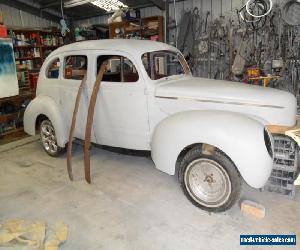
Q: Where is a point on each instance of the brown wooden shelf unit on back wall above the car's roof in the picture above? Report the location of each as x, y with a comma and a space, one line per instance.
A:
148, 28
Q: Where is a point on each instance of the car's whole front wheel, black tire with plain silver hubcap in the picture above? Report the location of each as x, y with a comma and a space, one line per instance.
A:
223, 168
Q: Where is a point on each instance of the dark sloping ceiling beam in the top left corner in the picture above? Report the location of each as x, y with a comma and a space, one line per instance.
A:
30, 9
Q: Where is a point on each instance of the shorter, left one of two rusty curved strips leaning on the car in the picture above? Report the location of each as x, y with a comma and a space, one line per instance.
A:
72, 128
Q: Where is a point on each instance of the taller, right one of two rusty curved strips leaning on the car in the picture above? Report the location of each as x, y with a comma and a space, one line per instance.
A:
89, 123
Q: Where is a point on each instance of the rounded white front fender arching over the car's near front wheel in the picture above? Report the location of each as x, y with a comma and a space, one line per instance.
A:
240, 137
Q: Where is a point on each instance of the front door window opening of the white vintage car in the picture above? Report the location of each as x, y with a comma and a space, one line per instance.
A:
118, 69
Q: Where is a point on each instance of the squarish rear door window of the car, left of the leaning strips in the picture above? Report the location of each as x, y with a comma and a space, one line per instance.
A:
75, 67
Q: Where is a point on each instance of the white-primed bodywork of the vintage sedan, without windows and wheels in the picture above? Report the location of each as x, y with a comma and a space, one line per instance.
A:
165, 115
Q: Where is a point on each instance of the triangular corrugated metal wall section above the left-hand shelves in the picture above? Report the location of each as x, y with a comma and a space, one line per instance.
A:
20, 19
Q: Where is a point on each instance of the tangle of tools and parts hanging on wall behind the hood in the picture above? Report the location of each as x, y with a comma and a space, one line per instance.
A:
257, 44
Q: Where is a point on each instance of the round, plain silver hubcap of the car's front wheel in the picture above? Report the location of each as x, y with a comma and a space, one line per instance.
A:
207, 182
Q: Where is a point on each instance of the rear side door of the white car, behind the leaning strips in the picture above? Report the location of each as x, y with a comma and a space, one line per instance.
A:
75, 66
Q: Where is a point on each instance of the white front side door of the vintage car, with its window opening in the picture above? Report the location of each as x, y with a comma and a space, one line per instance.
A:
121, 113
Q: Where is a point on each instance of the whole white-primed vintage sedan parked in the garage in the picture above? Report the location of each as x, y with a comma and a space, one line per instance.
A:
209, 133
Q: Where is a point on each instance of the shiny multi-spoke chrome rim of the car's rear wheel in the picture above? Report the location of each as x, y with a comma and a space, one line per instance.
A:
48, 138
